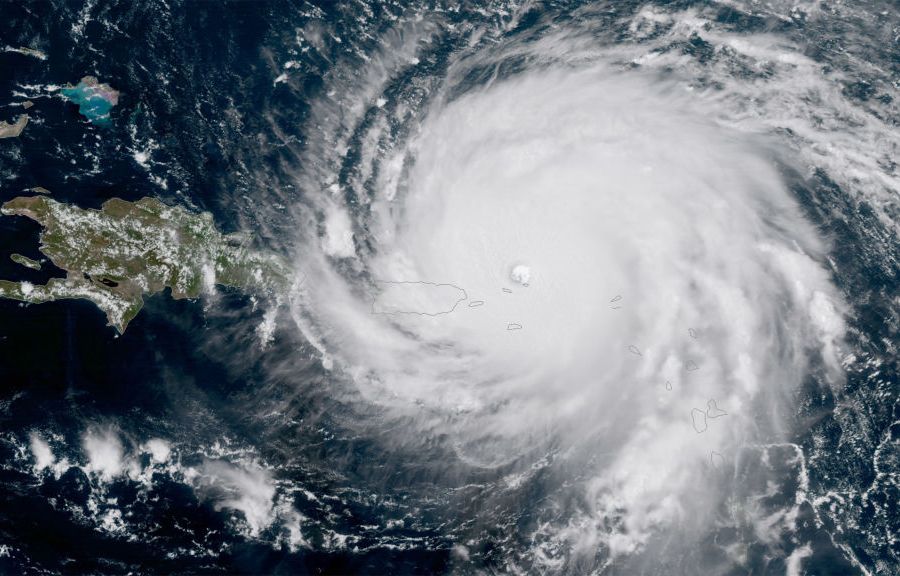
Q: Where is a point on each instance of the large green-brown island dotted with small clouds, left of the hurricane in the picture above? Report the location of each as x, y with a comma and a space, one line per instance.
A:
116, 255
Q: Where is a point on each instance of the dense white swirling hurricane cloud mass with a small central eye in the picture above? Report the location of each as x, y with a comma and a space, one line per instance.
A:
639, 292
